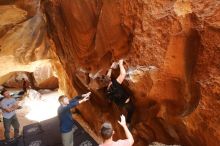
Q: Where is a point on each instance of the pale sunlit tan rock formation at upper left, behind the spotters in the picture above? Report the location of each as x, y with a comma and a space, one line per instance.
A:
24, 45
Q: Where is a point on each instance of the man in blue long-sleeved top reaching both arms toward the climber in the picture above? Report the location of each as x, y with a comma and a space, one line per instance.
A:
65, 116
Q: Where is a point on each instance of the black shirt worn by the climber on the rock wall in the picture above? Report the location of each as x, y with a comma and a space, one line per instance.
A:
117, 93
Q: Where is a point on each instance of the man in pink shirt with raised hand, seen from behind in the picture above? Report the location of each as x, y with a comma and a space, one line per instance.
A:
107, 134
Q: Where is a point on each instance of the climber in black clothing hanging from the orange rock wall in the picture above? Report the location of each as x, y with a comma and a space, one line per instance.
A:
116, 93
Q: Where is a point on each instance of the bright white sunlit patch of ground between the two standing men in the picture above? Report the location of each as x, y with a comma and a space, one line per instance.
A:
41, 107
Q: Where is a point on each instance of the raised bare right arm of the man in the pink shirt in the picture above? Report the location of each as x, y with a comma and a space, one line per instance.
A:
127, 132
